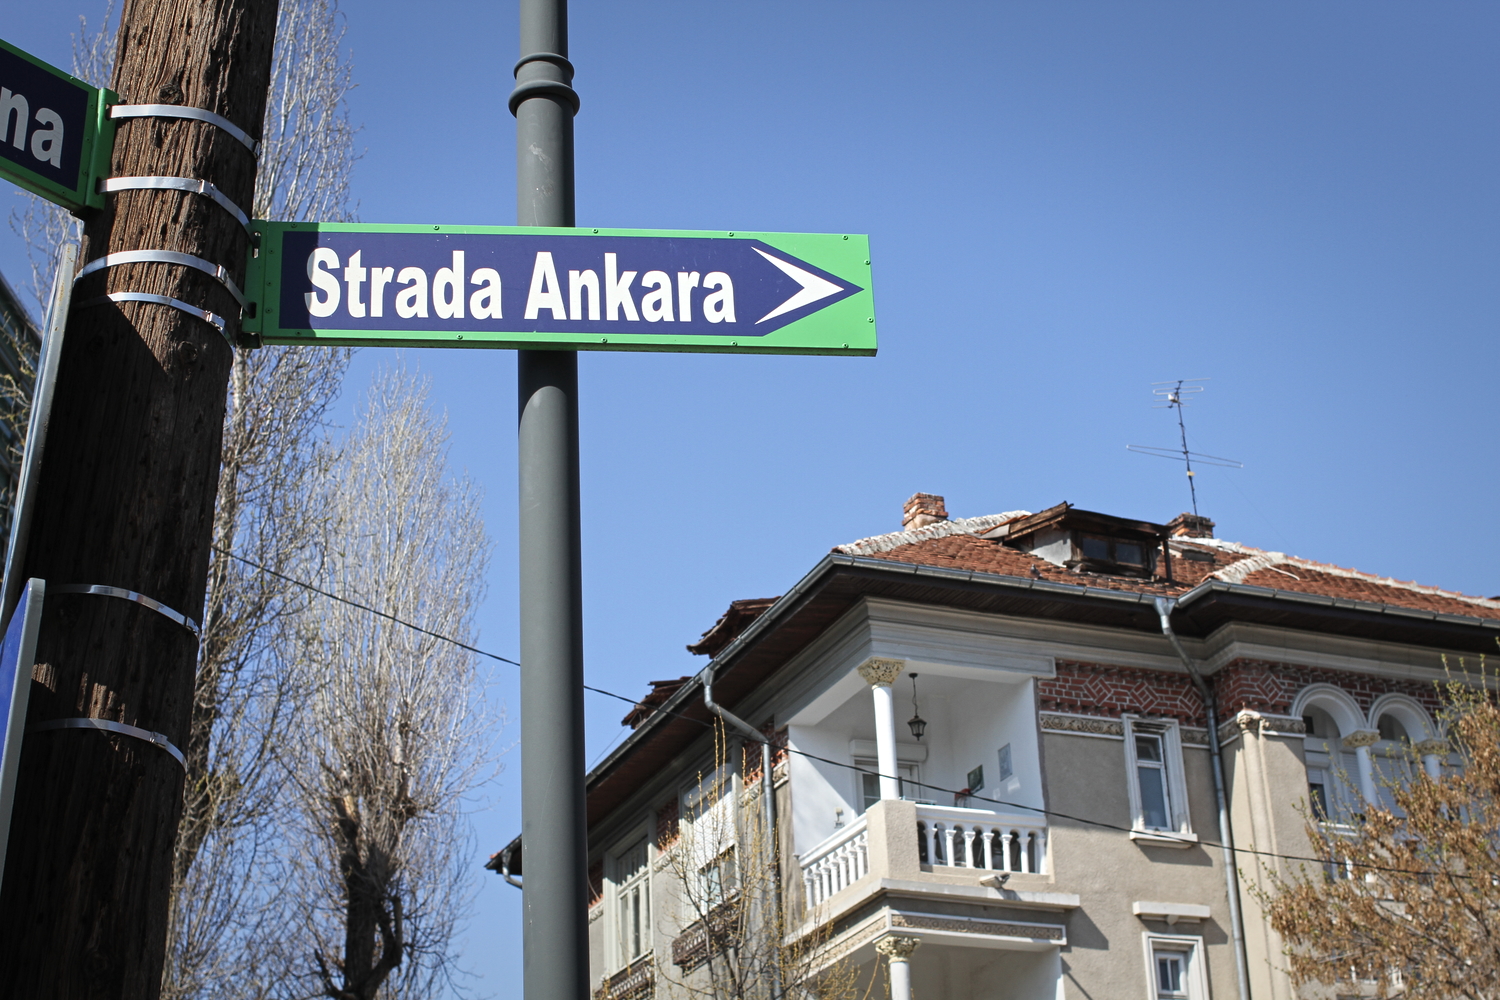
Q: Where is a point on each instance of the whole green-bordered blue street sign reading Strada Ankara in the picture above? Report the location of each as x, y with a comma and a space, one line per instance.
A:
578, 290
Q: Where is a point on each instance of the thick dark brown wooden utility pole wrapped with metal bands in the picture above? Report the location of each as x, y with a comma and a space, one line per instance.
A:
127, 501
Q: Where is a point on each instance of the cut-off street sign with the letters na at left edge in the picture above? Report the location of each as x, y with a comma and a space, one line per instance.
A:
55, 133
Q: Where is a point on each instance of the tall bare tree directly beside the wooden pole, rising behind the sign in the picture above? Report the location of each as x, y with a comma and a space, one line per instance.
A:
230, 858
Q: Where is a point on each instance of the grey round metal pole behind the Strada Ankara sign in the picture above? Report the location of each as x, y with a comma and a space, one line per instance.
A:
553, 767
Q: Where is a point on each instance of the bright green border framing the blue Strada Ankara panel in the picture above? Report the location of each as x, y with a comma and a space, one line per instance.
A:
844, 329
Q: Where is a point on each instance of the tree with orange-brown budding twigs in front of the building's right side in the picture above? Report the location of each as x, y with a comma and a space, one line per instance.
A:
1409, 900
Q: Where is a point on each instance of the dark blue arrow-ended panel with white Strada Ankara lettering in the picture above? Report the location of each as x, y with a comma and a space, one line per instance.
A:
551, 284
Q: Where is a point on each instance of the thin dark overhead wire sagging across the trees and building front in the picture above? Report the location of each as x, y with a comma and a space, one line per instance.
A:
827, 761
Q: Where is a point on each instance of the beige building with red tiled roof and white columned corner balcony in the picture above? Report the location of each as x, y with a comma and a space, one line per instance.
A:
1025, 755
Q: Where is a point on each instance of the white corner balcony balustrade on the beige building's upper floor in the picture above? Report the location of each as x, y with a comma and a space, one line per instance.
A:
908, 840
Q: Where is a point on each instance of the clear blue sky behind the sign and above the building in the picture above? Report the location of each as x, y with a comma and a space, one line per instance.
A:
1067, 202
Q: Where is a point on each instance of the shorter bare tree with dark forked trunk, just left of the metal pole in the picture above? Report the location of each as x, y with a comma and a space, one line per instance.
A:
395, 731
